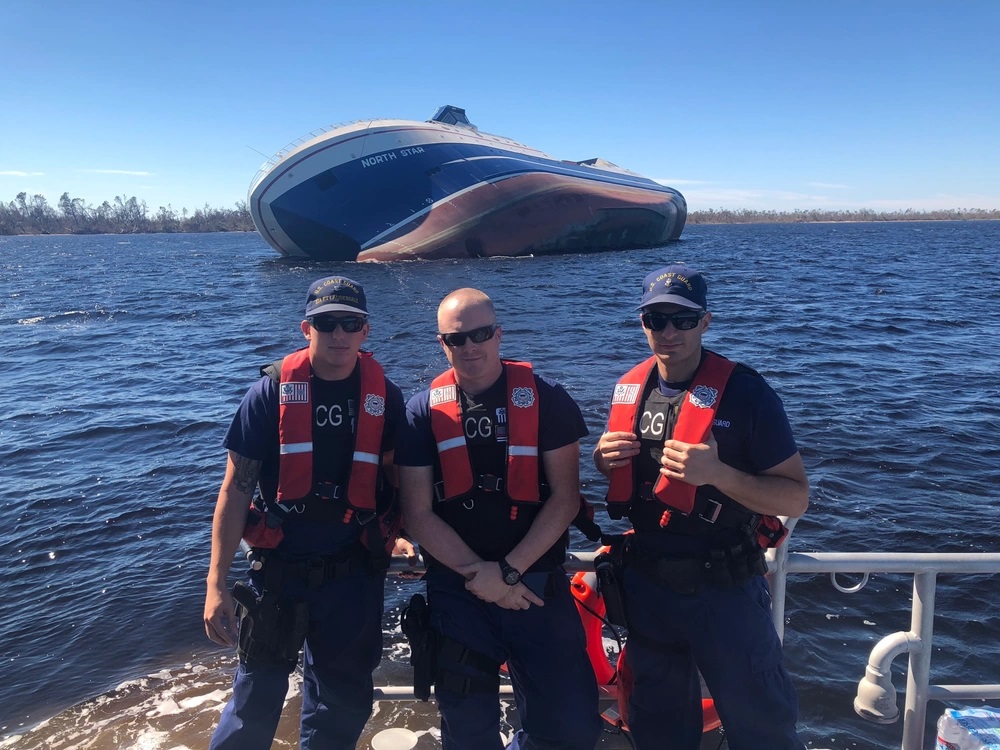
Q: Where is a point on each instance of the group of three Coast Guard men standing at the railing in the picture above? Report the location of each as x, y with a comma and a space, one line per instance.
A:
700, 458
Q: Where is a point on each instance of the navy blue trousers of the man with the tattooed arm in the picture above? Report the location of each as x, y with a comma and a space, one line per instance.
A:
343, 646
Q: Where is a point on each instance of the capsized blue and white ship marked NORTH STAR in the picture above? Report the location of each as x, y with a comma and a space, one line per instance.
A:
386, 190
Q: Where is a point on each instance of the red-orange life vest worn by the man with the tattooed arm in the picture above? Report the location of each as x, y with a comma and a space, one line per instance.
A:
295, 422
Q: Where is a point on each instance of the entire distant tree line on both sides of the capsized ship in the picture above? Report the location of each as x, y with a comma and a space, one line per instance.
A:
33, 215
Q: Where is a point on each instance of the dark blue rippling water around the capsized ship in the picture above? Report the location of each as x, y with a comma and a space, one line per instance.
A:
124, 358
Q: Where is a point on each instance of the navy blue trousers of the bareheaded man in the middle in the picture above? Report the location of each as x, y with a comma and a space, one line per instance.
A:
544, 647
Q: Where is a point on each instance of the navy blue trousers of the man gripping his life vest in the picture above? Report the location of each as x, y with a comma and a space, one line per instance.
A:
727, 634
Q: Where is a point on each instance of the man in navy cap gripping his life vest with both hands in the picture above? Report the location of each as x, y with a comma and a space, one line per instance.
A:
701, 460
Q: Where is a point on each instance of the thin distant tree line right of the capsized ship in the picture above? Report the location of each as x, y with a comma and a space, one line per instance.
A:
749, 216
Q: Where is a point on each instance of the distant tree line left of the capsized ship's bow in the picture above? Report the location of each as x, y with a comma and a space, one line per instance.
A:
34, 215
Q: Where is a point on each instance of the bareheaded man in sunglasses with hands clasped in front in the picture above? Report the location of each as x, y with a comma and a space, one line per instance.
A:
489, 476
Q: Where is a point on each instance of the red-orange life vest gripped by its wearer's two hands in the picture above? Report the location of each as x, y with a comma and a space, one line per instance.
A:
694, 423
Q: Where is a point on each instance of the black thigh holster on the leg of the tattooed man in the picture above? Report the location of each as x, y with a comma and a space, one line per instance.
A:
270, 632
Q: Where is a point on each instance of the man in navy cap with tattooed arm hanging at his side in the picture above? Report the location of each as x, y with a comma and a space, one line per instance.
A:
314, 439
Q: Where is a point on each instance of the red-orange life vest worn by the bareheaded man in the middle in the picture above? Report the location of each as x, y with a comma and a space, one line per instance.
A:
521, 482
